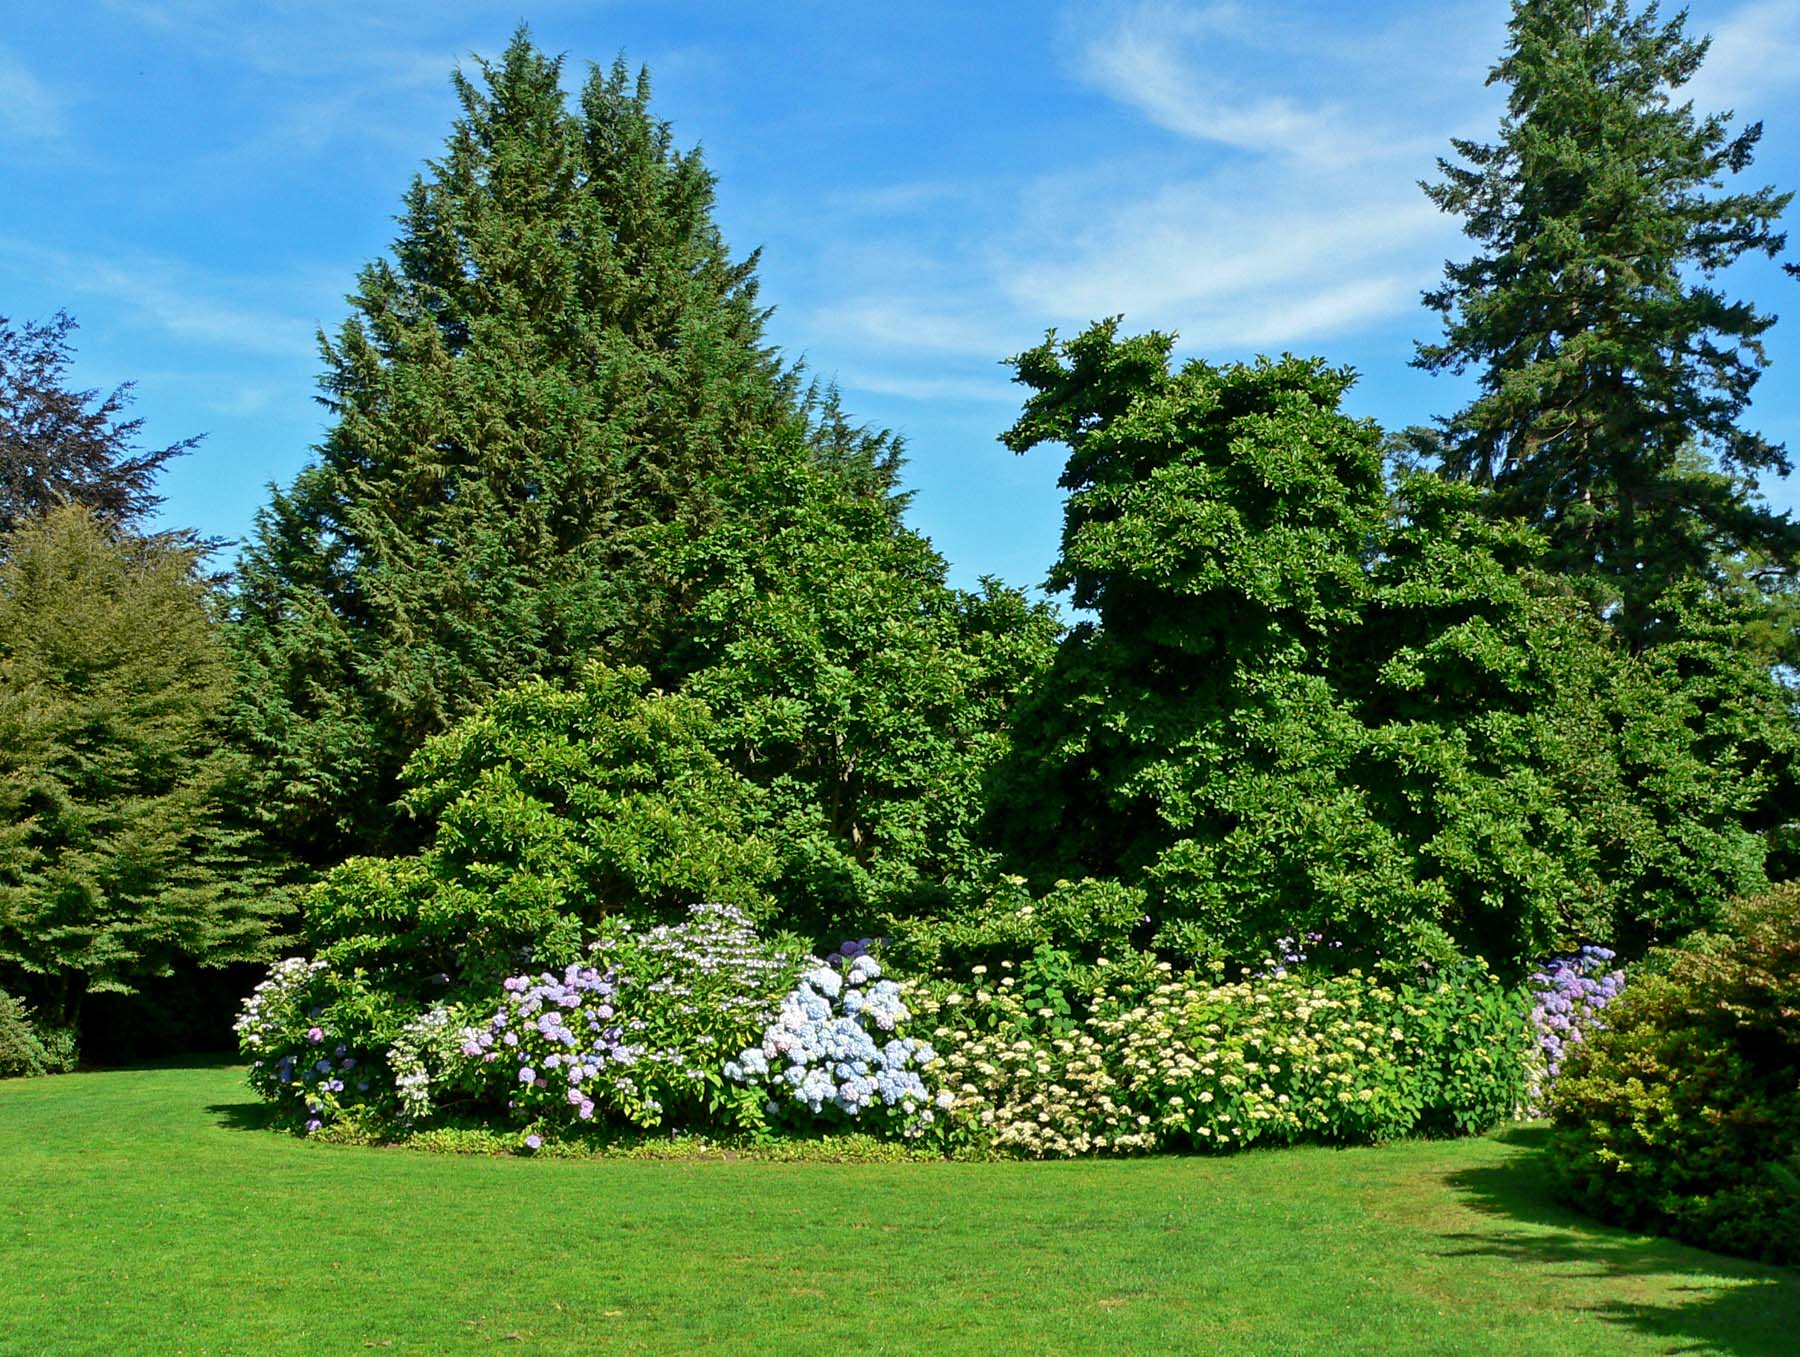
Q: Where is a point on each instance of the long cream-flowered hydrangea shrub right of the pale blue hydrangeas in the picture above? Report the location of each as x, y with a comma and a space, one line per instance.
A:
1187, 1063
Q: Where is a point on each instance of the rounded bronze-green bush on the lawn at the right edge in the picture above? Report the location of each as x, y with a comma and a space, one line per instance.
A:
1682, 1113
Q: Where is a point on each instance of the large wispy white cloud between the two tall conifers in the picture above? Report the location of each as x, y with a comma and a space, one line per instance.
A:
1275, 215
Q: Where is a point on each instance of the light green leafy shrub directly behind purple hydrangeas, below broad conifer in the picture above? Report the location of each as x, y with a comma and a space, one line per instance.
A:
550, 813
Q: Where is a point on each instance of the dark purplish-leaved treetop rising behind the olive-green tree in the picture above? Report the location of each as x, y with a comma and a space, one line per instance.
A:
60, 445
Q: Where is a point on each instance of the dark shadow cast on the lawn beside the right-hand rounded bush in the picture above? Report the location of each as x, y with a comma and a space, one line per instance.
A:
1707, 1302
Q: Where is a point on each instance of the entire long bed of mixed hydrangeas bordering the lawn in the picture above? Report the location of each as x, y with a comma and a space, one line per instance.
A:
701, 1027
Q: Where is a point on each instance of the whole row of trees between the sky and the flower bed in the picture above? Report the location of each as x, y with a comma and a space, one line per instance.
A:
593, 606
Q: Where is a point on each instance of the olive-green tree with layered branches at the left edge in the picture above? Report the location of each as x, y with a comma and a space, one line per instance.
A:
116, 850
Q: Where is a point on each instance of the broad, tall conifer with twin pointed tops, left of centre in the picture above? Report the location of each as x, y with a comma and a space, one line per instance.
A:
559, 361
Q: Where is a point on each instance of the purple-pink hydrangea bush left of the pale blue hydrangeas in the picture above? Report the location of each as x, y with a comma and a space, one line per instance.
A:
559, 1047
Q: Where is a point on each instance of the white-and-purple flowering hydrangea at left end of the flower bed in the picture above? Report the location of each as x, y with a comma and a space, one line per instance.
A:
296, 1059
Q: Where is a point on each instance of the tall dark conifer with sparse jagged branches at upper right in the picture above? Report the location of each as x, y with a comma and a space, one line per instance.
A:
1614, 372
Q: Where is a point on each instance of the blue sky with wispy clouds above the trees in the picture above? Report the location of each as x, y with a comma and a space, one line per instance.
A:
933, 186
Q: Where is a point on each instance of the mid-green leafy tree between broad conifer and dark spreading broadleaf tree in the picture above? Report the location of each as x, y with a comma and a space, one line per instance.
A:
849, 681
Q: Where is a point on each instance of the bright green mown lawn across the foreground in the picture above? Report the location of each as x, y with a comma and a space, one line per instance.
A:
145, 1212
